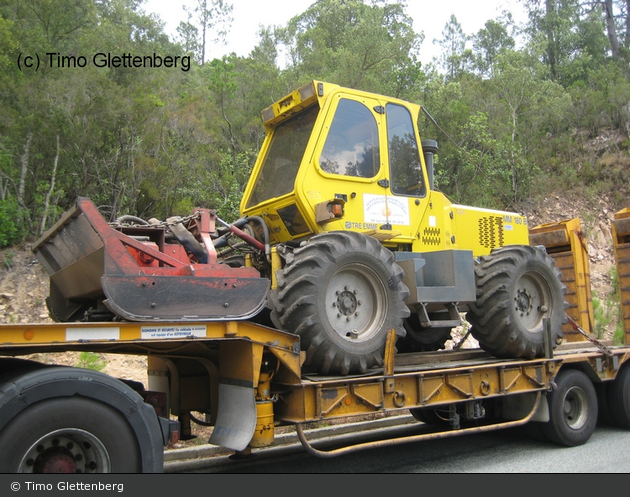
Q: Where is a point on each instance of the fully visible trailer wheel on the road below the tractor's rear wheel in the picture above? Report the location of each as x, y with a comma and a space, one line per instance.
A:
572, 410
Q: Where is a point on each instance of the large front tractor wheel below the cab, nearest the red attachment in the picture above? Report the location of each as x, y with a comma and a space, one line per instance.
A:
340, 292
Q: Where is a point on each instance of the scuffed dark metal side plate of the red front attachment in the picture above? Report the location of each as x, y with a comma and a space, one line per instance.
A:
139, 298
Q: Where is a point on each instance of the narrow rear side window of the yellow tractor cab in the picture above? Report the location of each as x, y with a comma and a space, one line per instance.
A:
404, 155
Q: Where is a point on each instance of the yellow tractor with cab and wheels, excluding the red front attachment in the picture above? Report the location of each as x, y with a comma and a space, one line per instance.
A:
343, 192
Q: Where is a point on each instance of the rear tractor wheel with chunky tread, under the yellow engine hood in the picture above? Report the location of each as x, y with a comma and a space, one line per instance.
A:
517, 287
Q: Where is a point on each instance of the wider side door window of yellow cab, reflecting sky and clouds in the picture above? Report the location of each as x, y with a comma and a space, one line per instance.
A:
351, 147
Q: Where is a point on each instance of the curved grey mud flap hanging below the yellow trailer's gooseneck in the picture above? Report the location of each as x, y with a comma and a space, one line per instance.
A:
236, 419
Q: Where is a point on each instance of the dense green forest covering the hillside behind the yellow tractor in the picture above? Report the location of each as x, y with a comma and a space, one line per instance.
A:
520, 110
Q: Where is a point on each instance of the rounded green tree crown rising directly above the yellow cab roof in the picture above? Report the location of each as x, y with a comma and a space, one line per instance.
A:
351, 43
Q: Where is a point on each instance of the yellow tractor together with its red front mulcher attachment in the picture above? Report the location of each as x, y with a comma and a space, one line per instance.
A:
342, 240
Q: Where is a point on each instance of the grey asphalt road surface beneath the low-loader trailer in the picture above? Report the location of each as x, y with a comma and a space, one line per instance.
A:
504, 451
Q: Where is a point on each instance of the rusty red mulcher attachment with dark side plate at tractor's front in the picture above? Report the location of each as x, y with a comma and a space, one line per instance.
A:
98, 272
